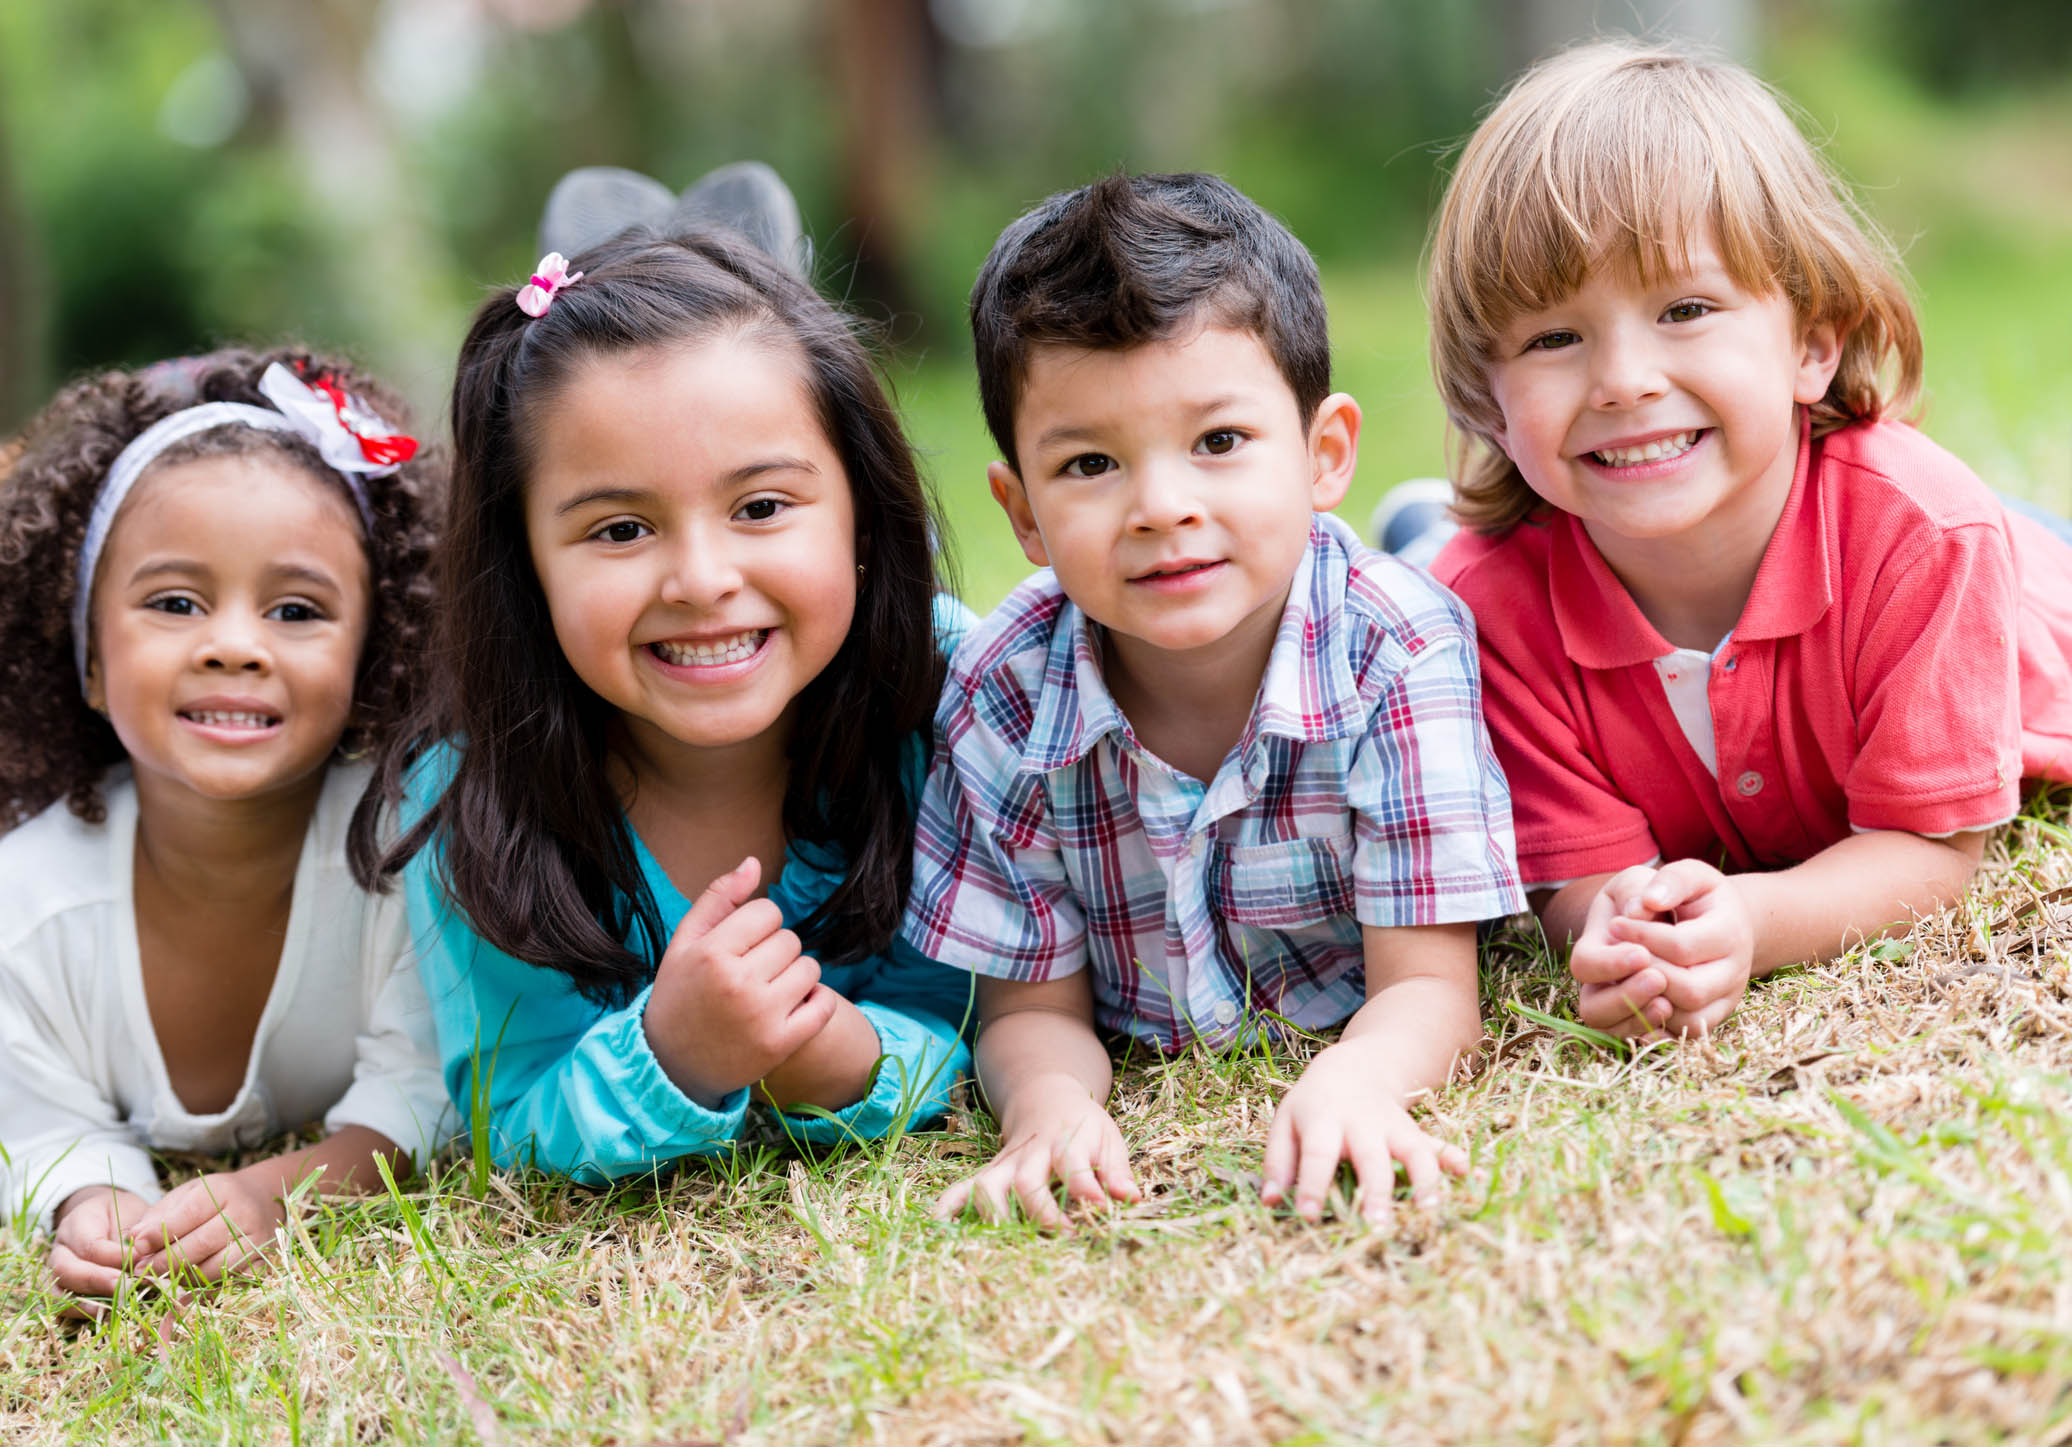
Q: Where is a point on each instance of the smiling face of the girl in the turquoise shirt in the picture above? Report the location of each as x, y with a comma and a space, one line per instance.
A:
693, 532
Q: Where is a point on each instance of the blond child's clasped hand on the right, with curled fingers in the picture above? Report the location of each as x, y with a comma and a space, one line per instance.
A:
1696, 930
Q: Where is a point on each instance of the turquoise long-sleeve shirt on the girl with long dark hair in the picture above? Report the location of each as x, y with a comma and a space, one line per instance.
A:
575, 1085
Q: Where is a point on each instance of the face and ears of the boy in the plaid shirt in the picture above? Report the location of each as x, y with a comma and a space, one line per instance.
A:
1172, 484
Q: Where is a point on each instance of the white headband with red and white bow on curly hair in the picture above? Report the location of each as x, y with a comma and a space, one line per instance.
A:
349, 438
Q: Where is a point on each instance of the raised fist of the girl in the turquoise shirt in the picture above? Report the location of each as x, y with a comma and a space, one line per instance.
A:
735, 996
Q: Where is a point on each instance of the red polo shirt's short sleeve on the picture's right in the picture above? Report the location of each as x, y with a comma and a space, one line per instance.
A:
1938, 691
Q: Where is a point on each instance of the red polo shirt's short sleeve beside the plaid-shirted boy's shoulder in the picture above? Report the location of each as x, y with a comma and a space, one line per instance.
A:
1570, 816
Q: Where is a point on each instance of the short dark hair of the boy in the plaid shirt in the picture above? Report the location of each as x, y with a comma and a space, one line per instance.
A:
1132, 260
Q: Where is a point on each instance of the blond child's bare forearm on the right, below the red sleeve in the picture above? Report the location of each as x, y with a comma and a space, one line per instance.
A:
1860, 888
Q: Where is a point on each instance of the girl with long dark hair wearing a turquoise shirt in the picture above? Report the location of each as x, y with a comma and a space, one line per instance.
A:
660, 843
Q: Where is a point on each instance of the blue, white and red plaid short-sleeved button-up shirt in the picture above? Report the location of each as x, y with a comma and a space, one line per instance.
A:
1362, 793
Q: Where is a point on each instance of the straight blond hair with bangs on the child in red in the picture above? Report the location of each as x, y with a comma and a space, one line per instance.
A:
1621, 157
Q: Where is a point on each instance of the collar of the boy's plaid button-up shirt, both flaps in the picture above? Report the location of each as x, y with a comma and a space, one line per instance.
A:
1308, 691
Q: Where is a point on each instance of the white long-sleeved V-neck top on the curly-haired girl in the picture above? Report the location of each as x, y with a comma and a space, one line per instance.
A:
84, 1091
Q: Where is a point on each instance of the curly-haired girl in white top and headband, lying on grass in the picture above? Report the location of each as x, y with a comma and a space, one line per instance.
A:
212, 592
